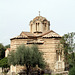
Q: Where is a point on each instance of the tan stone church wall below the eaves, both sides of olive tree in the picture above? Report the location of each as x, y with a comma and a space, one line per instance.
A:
48, 48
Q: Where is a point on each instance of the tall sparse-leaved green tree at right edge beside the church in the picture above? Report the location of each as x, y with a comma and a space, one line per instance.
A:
68, 44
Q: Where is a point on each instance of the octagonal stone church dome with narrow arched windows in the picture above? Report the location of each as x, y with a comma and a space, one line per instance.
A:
39, 24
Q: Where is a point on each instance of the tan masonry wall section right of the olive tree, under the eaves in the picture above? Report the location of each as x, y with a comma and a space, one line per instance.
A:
49, 50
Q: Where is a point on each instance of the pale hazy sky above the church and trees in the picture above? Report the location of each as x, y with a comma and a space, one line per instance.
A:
15, 16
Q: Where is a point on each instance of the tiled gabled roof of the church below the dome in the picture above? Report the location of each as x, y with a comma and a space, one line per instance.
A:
48, 34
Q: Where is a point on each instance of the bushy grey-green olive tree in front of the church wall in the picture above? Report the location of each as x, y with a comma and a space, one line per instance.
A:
29, 56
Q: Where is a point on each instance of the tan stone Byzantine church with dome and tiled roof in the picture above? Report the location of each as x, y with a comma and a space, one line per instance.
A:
46, 39
